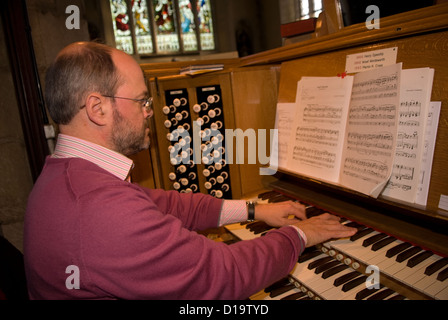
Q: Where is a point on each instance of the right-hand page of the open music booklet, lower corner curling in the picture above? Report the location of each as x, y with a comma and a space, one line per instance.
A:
371, 130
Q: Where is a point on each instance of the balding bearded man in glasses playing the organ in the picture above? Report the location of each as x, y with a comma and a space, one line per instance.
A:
90, 234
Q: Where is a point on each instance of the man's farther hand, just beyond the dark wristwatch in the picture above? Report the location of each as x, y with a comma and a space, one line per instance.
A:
281, 213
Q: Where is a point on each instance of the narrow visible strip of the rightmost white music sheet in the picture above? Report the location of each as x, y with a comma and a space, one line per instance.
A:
428, 154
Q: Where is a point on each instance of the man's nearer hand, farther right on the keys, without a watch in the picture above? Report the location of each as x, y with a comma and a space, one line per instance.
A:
322, 228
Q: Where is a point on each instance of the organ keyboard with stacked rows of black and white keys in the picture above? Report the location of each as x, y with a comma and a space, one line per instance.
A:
343, 269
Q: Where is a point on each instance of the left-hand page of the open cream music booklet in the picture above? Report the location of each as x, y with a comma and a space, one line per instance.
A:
318, 129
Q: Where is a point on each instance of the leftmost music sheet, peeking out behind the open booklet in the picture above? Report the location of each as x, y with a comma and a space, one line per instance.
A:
283, 123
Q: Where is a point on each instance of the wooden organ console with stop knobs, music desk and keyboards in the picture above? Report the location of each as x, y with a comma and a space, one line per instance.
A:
408, 243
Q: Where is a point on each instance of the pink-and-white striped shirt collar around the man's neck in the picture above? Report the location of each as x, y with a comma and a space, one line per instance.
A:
111, 161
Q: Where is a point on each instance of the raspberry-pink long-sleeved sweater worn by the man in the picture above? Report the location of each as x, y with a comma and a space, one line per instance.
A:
129, 242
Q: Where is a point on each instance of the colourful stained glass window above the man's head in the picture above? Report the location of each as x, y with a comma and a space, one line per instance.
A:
162, 27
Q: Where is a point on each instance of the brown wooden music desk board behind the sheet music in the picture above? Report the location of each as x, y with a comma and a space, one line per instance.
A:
426, 50
